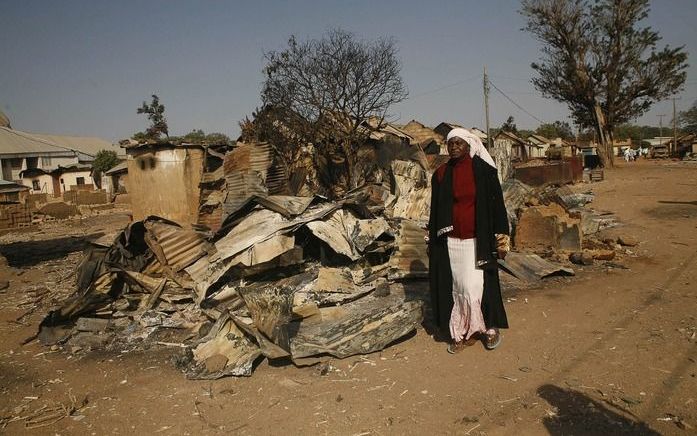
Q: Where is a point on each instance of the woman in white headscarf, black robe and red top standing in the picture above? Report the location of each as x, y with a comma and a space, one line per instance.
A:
468, 232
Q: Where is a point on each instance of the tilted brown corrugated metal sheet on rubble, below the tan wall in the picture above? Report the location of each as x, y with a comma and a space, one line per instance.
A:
179, 247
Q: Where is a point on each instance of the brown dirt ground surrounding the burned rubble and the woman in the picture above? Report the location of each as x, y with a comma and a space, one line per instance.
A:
612, 350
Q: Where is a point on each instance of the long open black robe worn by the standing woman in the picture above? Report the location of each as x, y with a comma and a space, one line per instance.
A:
490, 219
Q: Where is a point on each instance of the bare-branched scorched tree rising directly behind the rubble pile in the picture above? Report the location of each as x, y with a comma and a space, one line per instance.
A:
321, 91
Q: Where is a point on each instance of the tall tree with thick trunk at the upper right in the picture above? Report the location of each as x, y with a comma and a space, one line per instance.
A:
597, 58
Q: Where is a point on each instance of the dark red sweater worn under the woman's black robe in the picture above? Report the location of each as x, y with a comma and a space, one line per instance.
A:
464, 191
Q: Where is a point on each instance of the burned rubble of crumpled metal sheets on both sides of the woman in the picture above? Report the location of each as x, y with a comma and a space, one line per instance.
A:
285, 277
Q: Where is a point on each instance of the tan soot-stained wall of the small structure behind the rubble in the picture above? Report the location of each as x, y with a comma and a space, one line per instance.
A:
165, 183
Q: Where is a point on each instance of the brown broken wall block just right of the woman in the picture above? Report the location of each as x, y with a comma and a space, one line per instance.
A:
548, 227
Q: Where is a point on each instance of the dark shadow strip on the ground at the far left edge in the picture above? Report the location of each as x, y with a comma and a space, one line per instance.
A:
30, 253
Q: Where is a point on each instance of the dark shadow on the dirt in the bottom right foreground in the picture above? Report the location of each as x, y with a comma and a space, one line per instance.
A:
578, 413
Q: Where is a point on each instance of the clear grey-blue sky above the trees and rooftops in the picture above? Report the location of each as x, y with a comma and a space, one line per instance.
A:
83, 67
